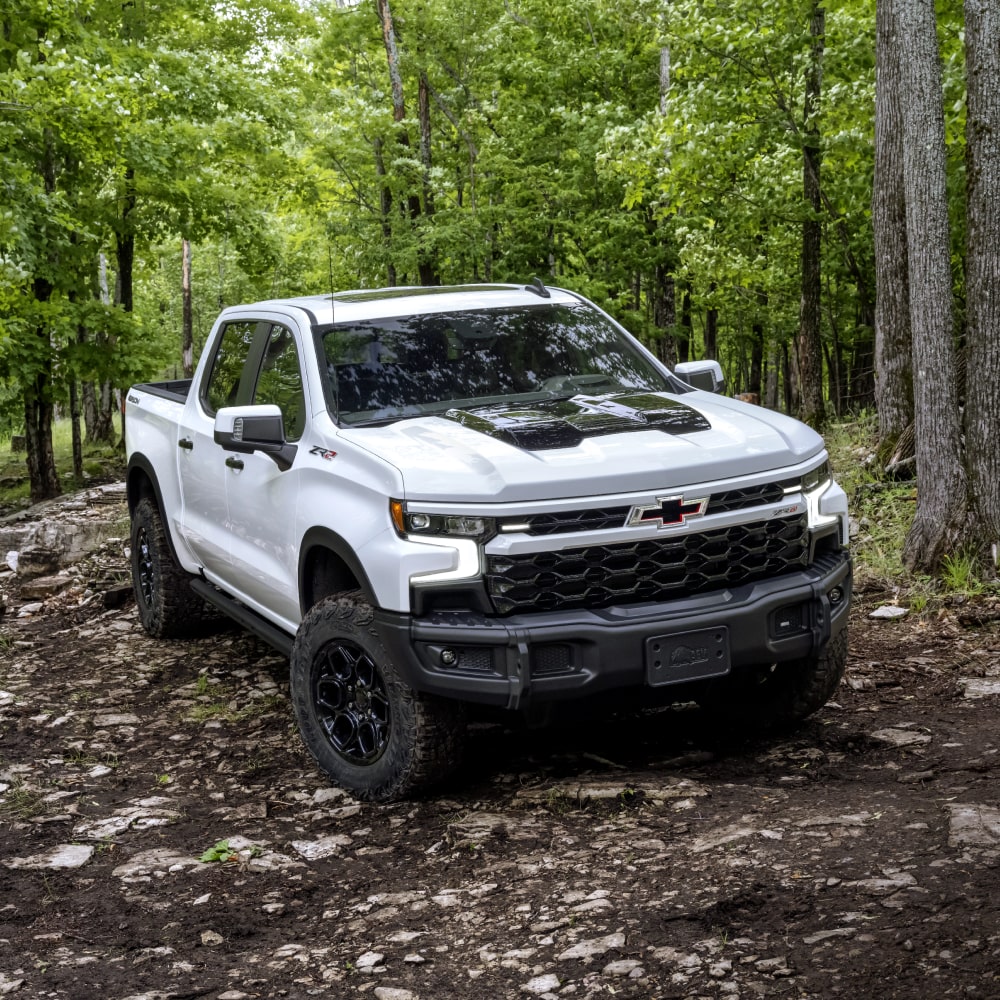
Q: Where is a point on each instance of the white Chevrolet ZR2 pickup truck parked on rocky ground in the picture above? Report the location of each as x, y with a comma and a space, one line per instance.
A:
435, 498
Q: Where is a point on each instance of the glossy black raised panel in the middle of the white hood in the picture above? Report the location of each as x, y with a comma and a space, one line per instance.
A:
565, 423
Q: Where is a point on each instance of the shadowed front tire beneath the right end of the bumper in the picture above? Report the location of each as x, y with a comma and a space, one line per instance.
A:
781, 695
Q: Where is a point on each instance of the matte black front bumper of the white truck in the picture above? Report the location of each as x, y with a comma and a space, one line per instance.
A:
510, 661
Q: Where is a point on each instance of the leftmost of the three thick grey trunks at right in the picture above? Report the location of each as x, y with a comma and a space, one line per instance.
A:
893, 343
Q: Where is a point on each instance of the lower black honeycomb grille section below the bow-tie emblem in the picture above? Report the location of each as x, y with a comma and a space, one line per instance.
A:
600, 576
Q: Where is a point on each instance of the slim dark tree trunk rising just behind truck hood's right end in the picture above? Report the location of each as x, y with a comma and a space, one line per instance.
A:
809, 353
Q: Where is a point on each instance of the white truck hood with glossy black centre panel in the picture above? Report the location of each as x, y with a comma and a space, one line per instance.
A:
585, 446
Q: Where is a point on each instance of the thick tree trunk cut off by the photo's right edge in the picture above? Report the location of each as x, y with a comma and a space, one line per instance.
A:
982, 269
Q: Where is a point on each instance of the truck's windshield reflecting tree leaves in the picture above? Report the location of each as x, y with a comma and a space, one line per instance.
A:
382, 370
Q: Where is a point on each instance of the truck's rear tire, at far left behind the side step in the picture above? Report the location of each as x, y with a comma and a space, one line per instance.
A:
168, 608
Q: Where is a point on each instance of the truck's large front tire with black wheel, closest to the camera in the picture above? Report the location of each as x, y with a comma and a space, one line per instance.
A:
368, 731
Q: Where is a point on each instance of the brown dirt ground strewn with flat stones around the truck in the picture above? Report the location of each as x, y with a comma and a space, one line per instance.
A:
164, 835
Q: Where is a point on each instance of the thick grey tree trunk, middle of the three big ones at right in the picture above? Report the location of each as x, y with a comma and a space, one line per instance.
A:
942, 498
